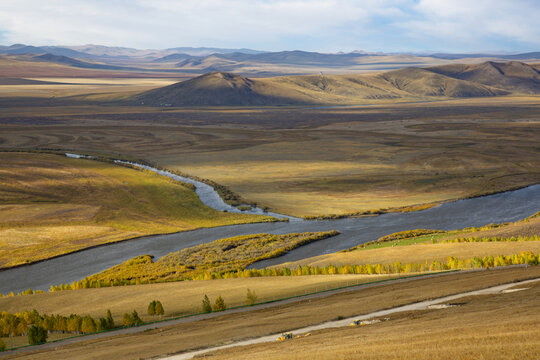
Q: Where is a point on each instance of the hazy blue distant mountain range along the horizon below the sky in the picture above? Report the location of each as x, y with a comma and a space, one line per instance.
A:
187, 62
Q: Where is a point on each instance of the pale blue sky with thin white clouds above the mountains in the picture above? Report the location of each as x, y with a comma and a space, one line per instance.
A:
416, 26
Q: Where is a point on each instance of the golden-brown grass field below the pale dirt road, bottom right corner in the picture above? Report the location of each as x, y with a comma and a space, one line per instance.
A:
502, 326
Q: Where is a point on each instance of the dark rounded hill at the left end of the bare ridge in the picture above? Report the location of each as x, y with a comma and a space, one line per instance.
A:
219, 89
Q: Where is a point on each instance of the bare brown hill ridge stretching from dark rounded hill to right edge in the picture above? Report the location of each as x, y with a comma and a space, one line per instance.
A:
448, 81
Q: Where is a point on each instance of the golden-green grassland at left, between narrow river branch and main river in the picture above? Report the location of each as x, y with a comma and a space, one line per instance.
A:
51, 205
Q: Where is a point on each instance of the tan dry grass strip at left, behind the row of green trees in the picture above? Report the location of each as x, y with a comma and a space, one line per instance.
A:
178, 298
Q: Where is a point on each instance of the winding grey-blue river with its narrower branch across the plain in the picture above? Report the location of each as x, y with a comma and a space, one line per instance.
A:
503, 207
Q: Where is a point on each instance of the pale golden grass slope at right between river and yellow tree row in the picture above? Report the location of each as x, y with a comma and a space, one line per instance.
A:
420, 249
